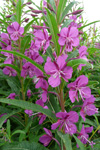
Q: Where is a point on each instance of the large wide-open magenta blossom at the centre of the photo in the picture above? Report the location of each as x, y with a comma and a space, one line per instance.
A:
57, 70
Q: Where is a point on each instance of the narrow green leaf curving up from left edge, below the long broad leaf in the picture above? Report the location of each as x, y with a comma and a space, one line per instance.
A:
3, 118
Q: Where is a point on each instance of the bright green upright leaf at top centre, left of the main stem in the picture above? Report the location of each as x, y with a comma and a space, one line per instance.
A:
54, 30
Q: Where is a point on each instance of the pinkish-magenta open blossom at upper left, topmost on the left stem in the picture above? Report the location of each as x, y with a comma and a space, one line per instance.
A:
15, 31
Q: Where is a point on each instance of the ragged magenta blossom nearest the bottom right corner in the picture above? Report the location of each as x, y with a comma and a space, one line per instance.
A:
83, 136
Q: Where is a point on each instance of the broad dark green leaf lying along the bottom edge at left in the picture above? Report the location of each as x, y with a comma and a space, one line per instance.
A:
25, 145
